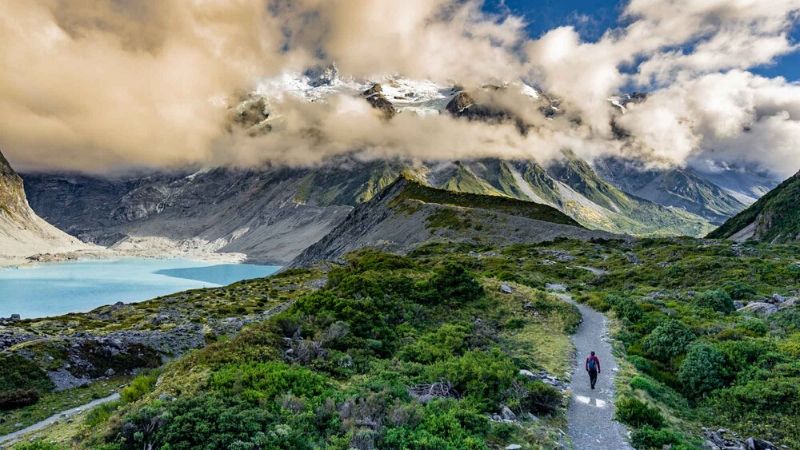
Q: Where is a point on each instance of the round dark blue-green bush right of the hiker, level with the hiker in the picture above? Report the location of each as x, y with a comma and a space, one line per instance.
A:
704, 370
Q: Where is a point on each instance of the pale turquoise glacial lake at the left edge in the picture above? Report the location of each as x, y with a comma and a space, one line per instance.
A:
53, 289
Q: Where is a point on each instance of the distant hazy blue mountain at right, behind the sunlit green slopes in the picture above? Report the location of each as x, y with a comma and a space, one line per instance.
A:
683, 188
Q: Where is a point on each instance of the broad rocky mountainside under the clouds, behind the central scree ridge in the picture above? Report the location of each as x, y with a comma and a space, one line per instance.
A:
273, 213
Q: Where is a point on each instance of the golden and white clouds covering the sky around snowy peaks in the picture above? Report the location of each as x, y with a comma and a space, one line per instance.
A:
99, 85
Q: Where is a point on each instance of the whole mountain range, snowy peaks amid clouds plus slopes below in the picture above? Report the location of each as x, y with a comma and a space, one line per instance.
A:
272, 213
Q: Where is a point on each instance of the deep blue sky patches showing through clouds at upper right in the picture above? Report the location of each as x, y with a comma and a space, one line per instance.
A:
593, 17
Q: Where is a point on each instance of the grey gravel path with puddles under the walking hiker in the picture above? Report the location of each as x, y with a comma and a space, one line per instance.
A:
591, 412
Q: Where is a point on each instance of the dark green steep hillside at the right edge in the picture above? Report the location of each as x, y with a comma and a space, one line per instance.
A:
773, 218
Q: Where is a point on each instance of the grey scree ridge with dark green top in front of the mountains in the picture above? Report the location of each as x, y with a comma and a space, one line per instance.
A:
408, 213
